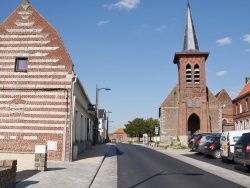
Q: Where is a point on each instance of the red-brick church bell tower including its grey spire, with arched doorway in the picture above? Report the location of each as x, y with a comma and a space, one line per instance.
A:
193, 99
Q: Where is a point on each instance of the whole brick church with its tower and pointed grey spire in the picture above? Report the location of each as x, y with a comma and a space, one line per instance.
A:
191, 107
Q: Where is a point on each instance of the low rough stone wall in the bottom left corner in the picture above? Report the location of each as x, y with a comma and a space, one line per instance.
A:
8, 173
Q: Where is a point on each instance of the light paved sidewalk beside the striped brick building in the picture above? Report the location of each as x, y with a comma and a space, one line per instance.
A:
79, 173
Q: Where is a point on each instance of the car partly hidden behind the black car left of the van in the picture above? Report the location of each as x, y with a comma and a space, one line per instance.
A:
202, 139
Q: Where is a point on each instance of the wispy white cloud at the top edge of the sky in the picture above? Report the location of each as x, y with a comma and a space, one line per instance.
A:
123, 4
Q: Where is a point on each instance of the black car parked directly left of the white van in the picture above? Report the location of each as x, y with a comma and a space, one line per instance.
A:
212, 148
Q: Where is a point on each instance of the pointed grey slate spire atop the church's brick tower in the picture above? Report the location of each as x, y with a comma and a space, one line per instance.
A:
190, 41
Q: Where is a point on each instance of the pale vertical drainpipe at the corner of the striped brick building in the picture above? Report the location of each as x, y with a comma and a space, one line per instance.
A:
72, 115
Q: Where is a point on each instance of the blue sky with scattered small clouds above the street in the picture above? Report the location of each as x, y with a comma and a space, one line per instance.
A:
129, 46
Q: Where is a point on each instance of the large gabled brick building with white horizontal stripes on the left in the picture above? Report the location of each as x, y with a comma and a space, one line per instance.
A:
41, 99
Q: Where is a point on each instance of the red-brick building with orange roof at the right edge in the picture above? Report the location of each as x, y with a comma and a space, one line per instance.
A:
241, 108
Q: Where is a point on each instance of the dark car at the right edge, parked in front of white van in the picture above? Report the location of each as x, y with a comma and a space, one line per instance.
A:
242, 150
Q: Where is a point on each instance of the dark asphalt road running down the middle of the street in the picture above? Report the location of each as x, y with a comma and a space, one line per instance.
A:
146, 168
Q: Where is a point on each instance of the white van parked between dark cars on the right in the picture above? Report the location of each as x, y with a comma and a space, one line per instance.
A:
227, 142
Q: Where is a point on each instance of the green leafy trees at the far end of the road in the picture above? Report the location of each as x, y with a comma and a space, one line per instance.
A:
139, 126
